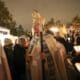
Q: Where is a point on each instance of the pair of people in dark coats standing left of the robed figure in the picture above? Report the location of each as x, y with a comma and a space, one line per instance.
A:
16, 55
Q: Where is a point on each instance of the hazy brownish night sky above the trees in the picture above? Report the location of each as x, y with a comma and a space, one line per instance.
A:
63, 10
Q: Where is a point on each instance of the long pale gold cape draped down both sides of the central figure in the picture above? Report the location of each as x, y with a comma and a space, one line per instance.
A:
58, 54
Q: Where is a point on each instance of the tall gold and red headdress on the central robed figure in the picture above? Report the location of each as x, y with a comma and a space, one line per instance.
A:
38, 22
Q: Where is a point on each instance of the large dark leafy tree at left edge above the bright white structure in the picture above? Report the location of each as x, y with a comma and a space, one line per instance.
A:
6, 19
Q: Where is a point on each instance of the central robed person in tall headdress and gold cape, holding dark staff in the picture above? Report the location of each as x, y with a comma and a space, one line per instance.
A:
53, 53
